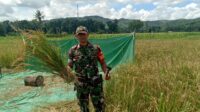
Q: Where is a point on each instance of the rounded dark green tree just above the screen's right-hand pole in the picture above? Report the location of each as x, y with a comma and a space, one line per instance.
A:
135, 25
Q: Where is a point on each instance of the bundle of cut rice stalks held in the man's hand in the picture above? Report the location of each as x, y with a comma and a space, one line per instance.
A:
48, 54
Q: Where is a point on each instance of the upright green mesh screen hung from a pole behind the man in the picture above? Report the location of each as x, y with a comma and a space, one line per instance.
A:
117, 50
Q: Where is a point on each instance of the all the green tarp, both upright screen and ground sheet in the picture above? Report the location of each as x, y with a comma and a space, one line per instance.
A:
15, 97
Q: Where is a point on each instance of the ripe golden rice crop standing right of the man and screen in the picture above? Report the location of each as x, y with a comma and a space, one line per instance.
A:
165, 78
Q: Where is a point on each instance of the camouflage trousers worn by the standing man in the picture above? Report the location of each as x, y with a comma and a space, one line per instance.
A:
94, 91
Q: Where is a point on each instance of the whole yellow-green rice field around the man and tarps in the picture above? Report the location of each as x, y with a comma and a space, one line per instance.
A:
164, 78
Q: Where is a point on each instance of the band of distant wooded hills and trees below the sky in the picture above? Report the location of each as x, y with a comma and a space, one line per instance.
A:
96, 24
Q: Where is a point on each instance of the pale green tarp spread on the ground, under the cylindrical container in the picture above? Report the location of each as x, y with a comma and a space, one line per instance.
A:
15, 97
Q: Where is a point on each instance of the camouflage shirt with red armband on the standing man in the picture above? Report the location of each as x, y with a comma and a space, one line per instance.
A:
85, 59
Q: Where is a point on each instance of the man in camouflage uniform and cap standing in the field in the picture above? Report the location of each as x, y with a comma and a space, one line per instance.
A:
85, 57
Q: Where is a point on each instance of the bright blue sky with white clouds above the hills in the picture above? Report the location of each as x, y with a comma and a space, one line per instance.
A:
114, 9
